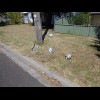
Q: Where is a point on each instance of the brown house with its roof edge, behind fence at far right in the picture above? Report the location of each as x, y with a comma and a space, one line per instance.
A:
95, 18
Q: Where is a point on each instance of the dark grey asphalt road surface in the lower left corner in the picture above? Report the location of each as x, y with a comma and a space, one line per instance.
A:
12, 75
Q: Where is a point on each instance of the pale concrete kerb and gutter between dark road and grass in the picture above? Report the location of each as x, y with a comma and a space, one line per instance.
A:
31, 66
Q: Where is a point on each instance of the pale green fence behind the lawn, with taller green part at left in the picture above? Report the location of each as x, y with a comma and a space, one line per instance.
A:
62, 26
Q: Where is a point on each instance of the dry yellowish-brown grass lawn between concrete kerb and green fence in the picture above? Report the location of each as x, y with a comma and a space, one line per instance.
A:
83, 68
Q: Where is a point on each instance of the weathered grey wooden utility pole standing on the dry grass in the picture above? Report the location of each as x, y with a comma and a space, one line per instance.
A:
37, 22
